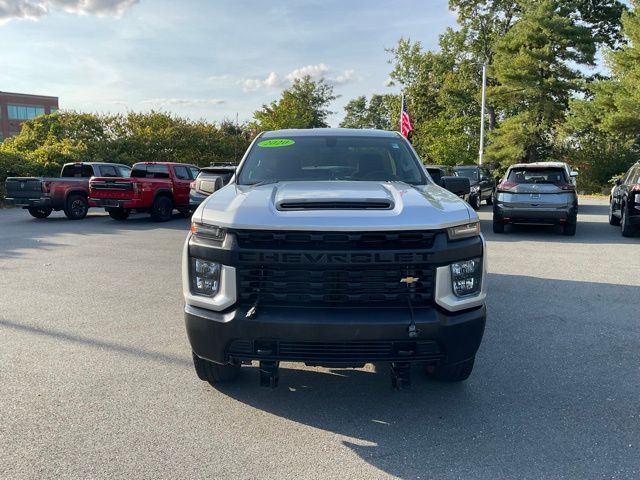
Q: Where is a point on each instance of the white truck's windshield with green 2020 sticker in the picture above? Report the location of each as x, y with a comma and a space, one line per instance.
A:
316, 158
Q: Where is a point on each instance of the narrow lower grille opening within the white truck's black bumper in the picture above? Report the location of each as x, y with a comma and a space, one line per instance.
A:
337, 351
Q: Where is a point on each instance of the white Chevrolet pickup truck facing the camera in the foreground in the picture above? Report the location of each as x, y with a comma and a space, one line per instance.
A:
333, 247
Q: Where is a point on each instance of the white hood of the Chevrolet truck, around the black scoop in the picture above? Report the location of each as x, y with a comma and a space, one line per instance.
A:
334, 206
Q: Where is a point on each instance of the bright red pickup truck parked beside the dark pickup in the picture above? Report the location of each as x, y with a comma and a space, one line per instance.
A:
154, 187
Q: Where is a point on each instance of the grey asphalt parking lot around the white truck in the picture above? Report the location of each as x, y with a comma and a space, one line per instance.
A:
96, 379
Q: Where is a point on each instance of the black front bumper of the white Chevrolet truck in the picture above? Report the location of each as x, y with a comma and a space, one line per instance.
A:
329, 335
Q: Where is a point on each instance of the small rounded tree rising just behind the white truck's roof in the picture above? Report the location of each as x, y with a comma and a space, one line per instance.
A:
303, 105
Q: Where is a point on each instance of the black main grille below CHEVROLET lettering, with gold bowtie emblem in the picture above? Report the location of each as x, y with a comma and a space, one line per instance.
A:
336, 286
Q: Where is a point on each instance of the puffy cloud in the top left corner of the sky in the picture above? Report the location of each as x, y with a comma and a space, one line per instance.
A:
36, 9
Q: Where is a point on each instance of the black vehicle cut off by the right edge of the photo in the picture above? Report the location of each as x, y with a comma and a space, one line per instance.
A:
624, 202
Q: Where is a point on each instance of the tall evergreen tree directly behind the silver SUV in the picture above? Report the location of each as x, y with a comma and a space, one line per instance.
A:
535, 68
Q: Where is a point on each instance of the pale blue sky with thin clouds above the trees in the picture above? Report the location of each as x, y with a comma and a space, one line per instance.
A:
204, 59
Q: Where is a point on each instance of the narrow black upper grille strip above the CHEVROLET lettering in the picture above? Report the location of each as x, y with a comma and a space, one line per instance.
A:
335, 240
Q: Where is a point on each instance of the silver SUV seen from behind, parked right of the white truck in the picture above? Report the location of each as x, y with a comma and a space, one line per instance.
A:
540, 193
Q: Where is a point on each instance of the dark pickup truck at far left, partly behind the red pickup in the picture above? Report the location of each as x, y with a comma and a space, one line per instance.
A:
42, 195
